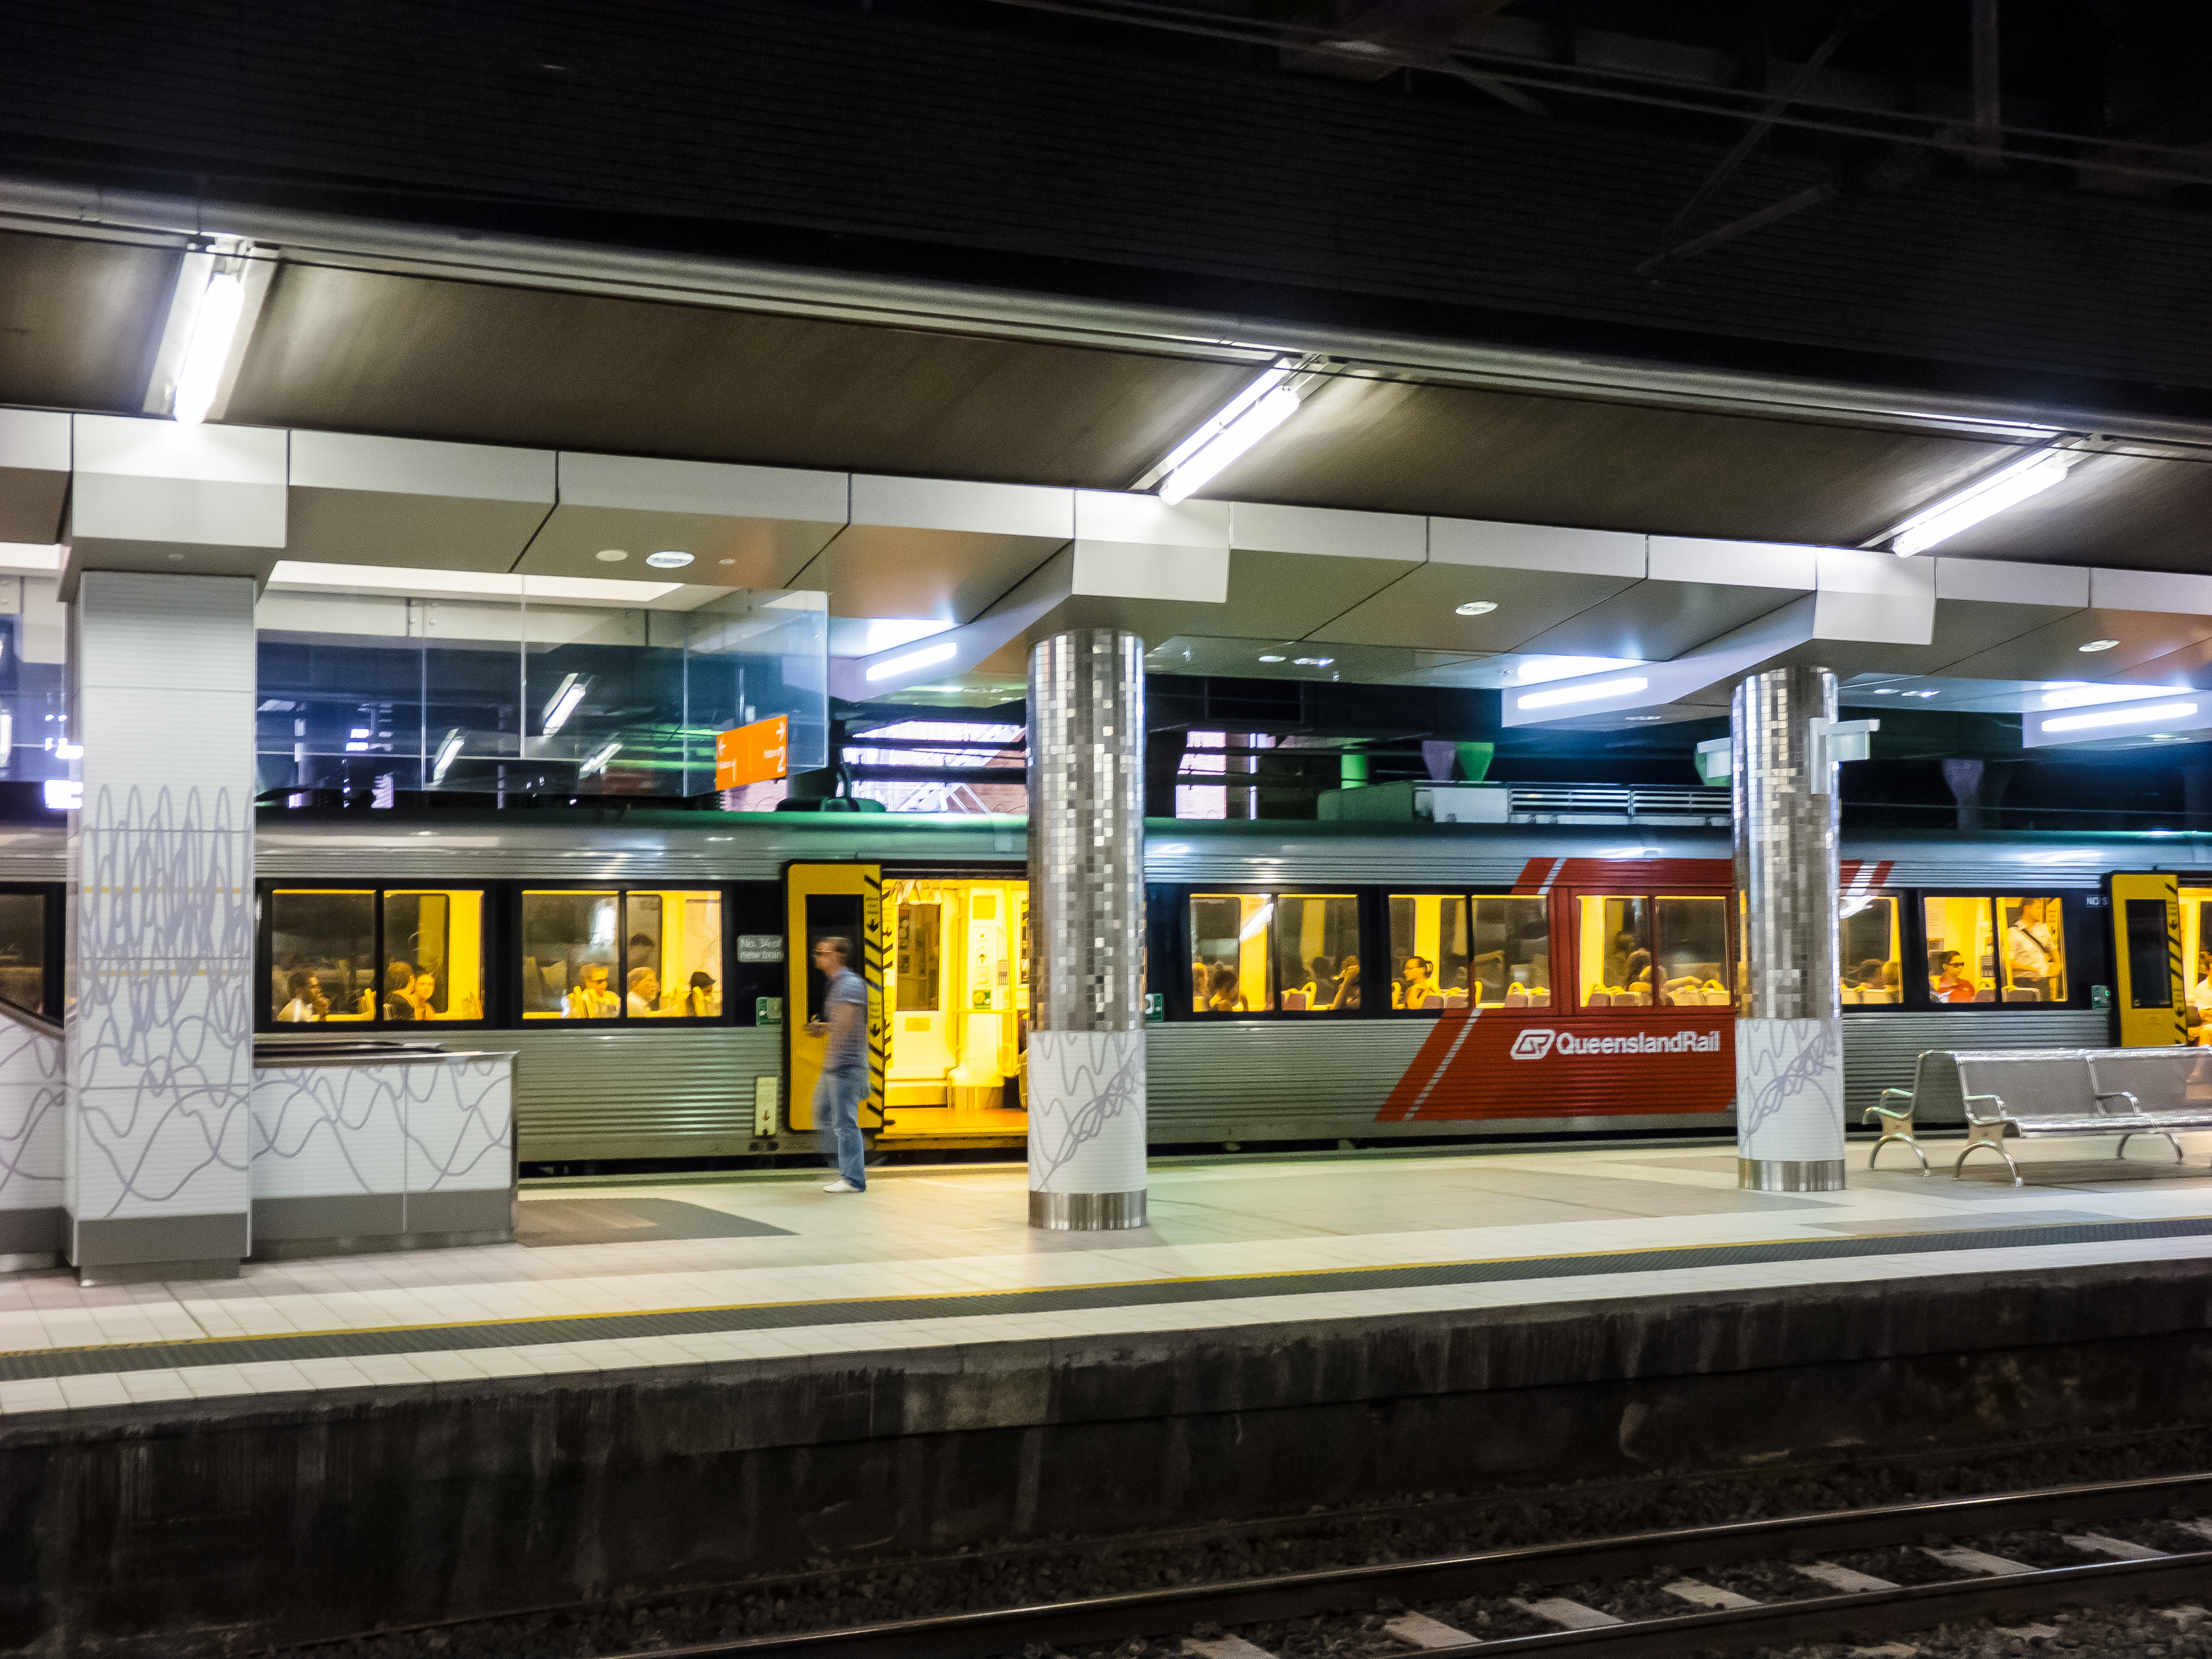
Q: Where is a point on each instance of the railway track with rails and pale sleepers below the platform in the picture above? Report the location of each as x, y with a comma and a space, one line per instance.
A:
1855, 1574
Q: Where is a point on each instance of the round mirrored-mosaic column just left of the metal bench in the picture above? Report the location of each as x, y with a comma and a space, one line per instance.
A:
1788, 1008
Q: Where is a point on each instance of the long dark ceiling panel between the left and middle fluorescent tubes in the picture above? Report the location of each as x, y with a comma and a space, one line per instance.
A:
517, 366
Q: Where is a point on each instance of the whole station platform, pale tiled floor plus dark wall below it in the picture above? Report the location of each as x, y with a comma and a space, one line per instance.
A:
698, 1381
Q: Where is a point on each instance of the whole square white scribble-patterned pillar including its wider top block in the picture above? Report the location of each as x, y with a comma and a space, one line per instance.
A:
169, 530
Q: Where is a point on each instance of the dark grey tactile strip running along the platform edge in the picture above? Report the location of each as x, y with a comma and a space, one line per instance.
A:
769, 1317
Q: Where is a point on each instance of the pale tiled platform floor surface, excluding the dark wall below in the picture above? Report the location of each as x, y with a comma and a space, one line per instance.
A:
943, 1258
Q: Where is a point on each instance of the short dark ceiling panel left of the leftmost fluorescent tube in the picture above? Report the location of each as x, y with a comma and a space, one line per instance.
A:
81, 322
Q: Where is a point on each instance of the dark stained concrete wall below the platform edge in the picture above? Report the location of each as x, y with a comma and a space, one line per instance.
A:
313, 1516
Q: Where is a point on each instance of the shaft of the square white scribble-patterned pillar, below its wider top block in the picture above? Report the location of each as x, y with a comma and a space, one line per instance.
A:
160, 926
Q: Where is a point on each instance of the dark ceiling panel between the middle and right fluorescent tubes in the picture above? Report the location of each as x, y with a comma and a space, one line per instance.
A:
1598, 466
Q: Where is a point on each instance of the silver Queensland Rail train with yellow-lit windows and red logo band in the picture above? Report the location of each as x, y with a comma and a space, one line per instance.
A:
1308, 985
